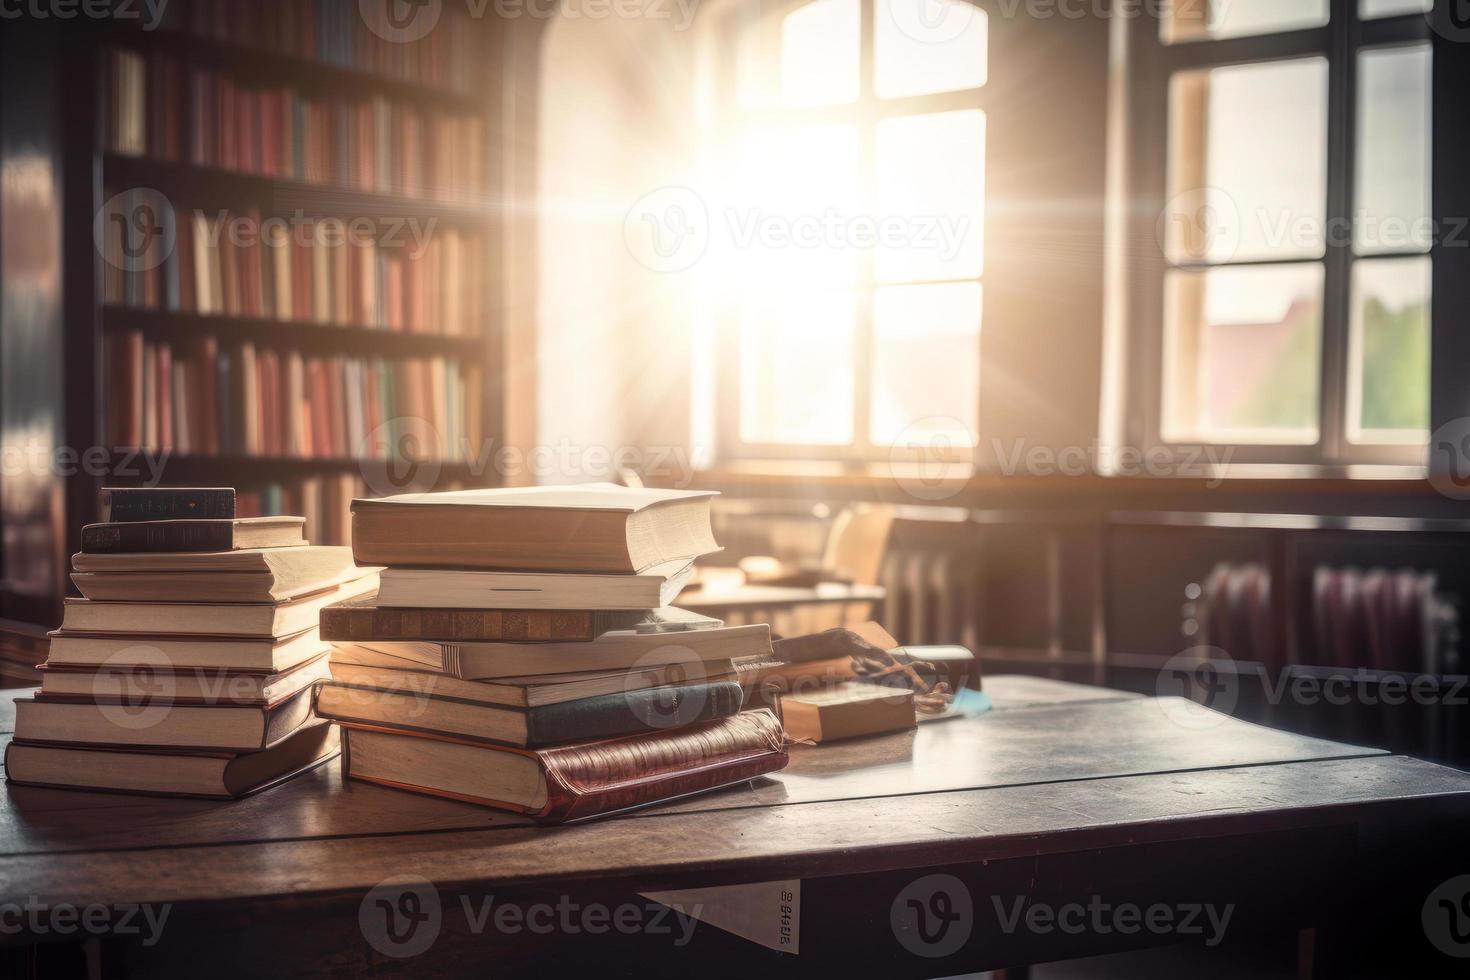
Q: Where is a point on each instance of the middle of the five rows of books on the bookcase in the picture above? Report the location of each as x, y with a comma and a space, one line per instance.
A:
305, 271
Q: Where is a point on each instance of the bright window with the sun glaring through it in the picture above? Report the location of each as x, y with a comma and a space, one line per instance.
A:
852, 154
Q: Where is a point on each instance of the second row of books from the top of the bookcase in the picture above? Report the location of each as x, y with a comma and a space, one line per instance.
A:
161, 109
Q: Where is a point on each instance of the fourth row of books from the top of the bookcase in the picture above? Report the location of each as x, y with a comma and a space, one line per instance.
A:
212, 399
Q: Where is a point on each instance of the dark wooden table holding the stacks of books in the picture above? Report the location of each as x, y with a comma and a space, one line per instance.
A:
1064, 796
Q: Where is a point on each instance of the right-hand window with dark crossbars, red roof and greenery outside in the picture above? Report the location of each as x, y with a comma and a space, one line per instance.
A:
1291, 145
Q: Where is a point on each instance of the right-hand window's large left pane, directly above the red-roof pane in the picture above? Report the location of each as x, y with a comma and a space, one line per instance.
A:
1249, 162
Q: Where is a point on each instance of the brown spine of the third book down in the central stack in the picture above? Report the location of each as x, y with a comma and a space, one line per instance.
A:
358, 624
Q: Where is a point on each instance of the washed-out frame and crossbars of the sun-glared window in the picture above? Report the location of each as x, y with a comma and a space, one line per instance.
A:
865, 115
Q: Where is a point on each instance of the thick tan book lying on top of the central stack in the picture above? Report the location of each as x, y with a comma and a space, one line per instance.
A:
586, 528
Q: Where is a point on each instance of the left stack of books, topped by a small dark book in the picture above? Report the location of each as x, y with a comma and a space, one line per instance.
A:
189, 666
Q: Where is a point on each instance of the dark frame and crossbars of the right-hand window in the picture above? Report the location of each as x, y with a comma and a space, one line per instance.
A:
1150, 68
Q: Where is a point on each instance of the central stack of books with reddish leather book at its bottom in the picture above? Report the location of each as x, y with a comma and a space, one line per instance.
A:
523, 653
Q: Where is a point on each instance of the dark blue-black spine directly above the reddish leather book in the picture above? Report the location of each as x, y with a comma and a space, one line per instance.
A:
631, 712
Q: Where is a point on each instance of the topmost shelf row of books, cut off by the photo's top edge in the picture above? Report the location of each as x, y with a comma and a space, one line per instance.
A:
345, 33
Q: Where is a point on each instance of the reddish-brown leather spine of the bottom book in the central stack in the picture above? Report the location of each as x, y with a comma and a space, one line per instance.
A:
602, 778
